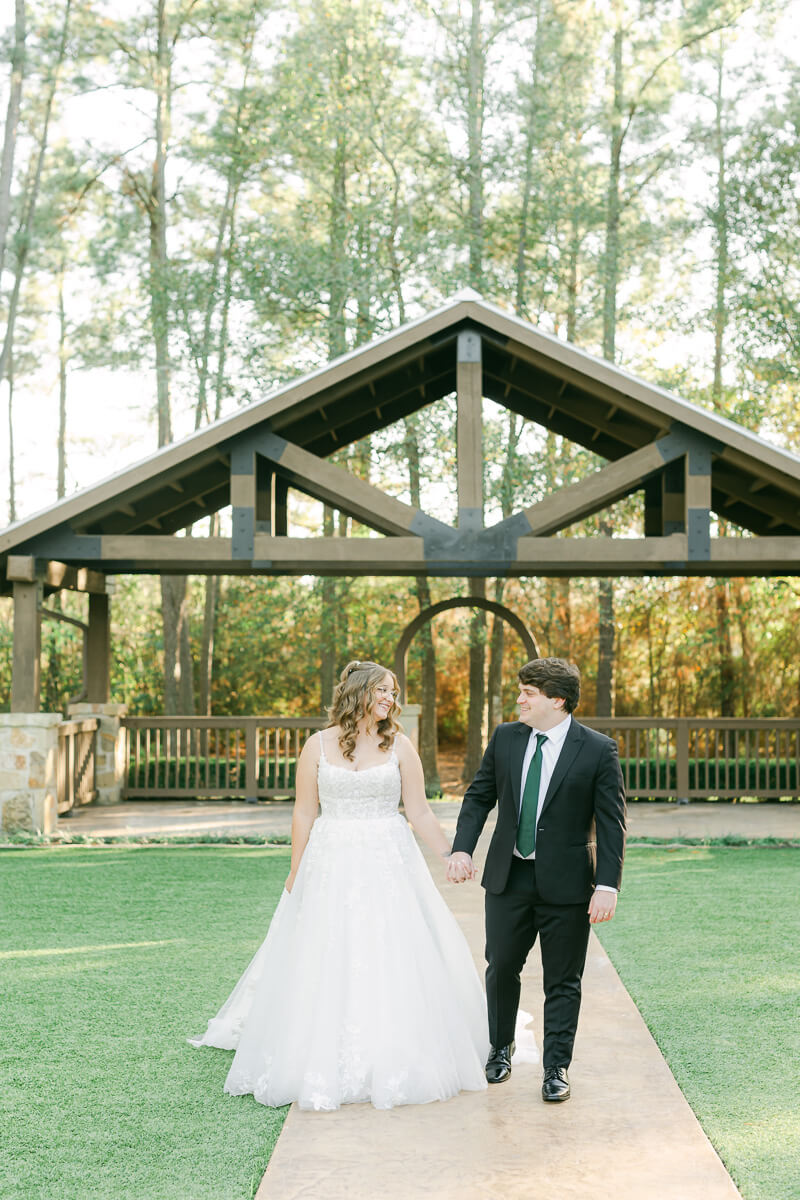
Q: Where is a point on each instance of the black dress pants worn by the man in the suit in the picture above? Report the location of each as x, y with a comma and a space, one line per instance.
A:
514, 920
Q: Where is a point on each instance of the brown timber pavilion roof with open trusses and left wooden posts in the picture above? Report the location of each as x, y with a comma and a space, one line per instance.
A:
689, 463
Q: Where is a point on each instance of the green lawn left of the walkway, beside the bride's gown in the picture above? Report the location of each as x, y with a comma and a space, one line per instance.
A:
109, 961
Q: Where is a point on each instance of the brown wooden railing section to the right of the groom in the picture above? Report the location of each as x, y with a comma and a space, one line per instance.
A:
701, 758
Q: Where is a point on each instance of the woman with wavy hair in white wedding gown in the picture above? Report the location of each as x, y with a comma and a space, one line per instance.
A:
364, 988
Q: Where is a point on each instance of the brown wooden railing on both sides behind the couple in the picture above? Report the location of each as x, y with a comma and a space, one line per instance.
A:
661, 758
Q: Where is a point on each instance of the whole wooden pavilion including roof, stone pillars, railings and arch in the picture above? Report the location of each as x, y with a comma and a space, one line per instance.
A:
688, 463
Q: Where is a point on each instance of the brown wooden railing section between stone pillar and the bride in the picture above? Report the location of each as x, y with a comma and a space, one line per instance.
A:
214, 757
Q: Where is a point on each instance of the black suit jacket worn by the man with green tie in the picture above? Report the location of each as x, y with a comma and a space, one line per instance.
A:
581, 831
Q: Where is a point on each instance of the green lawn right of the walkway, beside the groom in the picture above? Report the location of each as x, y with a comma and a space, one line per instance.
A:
707, 941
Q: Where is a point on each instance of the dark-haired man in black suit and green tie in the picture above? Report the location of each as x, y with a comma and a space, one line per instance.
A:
555, 863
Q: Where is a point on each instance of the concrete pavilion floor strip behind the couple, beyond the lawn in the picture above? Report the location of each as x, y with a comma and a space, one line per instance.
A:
274, 818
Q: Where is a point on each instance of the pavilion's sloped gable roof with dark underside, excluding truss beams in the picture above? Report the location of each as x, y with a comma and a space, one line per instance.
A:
539, 376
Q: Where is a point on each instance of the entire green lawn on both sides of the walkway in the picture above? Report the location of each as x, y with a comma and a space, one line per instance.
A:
111, 957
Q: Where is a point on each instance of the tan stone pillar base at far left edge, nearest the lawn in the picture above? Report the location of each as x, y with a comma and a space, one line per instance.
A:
29, 747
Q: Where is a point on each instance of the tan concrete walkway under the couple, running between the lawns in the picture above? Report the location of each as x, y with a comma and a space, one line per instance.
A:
627, 1132
